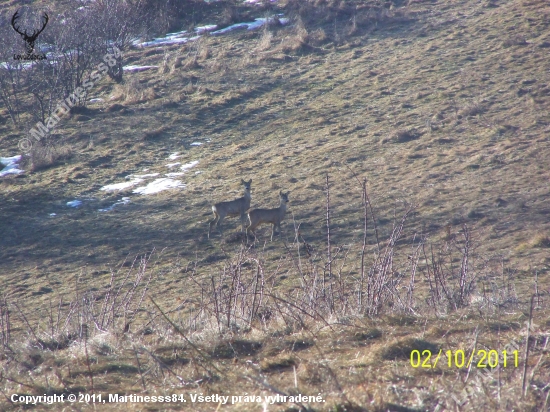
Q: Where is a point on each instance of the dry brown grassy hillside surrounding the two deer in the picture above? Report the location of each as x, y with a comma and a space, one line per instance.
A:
443, 106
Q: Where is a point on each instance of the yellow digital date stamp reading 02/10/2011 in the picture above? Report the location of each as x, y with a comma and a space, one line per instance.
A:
462, 359
